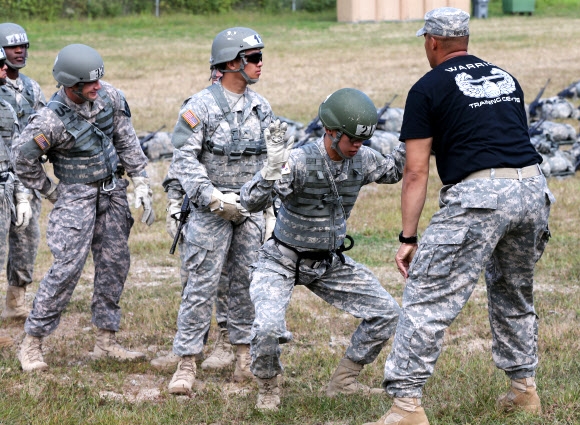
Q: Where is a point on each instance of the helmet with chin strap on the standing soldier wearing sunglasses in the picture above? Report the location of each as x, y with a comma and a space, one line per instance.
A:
230, 44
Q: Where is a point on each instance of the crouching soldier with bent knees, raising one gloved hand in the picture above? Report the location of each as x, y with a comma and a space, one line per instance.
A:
317, 189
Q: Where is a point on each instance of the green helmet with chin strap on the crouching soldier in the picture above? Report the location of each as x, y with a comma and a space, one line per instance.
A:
351, 112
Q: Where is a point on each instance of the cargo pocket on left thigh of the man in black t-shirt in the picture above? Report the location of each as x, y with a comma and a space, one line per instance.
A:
438, 249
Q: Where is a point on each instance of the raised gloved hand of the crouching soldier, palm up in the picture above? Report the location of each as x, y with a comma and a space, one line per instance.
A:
278, 150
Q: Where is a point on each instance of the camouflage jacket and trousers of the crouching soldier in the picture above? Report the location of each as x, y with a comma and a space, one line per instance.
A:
350, 287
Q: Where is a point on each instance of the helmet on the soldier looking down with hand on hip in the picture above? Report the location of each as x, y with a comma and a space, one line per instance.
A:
77, 63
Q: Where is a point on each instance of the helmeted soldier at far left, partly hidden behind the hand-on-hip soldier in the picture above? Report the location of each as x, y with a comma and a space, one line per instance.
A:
25, 96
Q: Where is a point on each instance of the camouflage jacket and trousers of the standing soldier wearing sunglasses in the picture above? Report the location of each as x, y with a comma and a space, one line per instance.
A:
213, 249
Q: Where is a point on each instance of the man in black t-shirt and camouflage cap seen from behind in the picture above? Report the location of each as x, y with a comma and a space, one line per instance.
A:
494, 215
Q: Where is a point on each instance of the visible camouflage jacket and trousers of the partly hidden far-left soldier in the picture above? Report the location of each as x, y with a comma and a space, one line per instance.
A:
25, 95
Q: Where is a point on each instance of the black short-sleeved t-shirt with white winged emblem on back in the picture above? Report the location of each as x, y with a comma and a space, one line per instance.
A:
475, 113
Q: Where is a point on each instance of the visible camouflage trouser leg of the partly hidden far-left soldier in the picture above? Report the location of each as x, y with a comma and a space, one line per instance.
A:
23, 247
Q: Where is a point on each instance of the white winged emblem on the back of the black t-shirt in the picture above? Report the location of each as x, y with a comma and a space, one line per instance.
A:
486, 86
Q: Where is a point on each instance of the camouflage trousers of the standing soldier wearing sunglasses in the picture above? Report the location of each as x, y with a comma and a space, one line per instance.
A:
209, 246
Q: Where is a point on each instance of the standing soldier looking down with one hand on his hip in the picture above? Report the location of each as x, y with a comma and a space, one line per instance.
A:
86, 132
